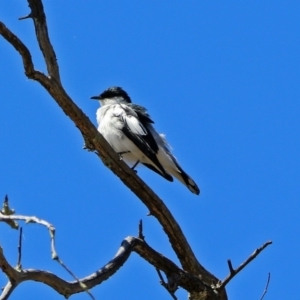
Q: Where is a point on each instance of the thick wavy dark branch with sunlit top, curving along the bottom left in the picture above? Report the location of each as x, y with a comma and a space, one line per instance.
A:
67, 289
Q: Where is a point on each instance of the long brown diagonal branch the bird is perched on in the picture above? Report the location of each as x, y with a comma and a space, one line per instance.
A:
111, 160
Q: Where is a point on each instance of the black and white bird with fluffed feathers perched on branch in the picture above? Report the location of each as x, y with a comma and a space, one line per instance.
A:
128, 128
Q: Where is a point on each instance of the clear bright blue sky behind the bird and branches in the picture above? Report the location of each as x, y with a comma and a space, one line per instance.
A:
220, 78
